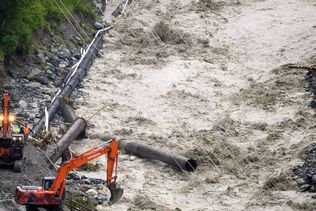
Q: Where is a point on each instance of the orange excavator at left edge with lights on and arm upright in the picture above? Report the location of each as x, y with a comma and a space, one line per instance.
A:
11, 143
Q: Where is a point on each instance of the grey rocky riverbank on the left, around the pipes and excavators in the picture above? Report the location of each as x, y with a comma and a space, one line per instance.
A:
33, 81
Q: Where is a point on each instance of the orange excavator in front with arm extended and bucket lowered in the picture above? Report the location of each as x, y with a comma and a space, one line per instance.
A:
52, 193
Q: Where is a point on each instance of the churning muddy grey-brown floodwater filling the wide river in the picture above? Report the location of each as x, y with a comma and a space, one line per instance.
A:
207, 80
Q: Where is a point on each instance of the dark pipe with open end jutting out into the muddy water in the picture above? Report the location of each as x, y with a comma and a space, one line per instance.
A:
149, 152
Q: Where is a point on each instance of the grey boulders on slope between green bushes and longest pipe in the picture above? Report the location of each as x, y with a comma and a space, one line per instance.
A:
31, 92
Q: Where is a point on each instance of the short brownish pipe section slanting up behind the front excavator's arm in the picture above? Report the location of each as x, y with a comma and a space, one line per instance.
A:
72, 133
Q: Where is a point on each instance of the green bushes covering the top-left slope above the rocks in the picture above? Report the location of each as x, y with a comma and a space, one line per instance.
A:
19, 19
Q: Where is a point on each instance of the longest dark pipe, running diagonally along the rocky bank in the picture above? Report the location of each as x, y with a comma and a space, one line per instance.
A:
68, 88
